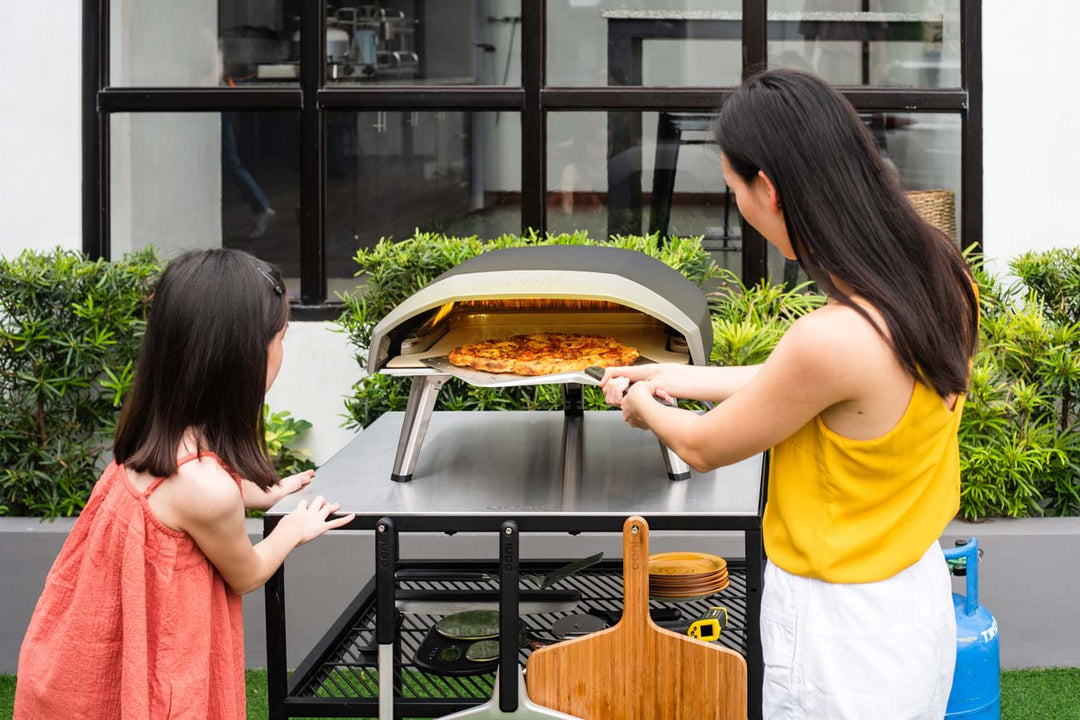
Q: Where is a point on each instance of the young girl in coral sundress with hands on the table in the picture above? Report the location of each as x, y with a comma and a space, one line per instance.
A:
141, 617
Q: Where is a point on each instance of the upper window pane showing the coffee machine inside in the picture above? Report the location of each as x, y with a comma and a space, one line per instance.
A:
452, 43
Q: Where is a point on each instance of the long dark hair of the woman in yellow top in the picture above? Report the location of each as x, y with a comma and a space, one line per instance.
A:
849, 221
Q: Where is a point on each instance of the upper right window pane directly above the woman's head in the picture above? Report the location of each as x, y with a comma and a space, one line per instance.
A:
895, 44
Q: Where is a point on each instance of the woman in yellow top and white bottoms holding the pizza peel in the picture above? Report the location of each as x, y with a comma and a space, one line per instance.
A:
860, 403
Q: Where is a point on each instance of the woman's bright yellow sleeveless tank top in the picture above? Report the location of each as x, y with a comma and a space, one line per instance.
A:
848, 511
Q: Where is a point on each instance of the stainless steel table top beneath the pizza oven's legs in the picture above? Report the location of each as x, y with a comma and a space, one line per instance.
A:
495, 465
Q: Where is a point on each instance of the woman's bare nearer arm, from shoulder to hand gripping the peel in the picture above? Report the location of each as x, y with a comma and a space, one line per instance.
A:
819, 363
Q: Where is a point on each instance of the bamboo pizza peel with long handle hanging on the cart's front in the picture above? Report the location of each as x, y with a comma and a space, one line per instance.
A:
637, 670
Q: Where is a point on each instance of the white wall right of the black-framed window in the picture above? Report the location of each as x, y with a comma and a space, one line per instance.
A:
1032, 129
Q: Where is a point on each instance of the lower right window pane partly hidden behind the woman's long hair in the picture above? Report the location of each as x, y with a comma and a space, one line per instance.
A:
925, 151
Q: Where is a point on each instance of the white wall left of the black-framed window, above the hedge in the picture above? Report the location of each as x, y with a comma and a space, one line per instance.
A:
40, 126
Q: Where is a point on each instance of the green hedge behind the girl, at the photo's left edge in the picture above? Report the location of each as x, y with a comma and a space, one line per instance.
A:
70, 336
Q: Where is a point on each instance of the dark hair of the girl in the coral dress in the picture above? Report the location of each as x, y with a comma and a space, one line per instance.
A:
204, 365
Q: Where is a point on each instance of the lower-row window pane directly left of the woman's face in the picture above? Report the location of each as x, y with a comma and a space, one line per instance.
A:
633, 173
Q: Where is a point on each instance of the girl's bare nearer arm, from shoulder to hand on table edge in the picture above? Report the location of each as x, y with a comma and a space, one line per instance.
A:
215, 520
